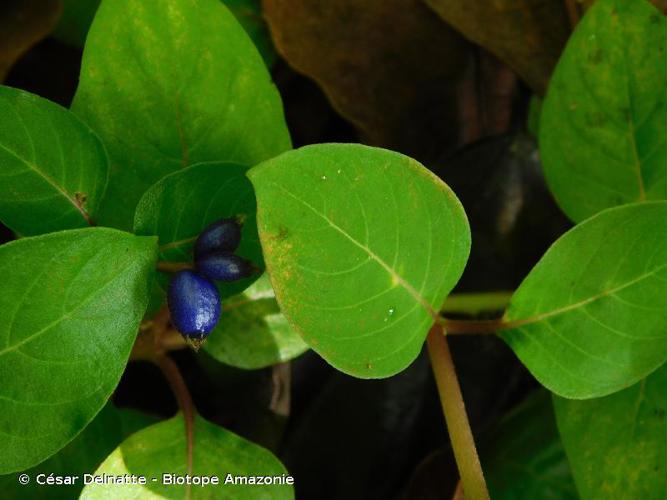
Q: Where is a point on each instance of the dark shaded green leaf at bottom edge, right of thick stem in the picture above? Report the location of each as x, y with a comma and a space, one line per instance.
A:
524, 457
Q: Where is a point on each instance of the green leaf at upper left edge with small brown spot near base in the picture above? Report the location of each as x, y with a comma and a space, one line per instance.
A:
53, 169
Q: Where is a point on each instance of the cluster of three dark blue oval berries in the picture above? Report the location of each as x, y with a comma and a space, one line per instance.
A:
194, 301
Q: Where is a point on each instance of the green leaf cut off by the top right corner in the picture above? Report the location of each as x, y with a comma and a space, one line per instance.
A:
601, 130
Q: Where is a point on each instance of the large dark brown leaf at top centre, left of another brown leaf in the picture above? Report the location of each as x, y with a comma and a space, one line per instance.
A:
391, 67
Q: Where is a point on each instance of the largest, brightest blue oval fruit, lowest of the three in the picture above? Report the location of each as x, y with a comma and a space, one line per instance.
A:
194, 304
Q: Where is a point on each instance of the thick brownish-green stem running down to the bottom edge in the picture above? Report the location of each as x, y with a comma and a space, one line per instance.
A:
463, 444
